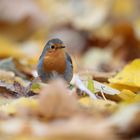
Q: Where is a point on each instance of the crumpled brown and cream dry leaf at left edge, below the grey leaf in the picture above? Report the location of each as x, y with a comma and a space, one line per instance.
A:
12, 86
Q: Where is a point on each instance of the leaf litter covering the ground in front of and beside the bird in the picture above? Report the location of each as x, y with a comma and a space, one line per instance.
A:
92, 116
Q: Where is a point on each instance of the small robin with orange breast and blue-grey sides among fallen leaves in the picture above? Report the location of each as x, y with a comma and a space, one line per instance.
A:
55, 62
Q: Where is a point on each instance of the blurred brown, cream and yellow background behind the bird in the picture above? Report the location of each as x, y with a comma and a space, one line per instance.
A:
102, 35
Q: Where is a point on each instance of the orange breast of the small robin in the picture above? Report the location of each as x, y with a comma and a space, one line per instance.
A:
55, 61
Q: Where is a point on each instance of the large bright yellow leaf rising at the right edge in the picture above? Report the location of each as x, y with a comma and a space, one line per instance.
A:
129, 76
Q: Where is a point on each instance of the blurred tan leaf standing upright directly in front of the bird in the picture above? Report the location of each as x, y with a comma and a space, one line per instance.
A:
55, 101
